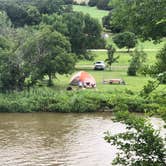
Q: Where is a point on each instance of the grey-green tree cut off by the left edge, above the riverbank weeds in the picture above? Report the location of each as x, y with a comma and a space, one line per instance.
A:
12, 75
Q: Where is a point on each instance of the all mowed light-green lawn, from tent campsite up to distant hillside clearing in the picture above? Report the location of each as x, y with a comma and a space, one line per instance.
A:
119, 69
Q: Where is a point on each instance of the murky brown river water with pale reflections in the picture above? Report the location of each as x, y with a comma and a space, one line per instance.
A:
57, 139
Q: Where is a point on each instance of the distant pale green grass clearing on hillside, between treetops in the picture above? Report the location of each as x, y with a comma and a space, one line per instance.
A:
93, 11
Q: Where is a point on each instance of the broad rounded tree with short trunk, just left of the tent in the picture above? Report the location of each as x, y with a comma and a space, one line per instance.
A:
48, 53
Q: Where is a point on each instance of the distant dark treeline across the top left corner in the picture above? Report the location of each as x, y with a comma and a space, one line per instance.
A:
29, 12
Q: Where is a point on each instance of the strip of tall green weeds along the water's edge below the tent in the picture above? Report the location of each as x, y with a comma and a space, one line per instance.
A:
47, 100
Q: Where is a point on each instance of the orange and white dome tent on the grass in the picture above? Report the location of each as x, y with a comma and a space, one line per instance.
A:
84, 78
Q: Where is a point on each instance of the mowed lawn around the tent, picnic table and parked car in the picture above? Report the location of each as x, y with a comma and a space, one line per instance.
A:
119, 70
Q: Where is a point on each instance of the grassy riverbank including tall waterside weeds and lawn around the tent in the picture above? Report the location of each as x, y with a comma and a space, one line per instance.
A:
105, 97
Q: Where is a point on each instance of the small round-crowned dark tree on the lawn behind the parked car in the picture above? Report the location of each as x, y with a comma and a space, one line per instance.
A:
125, 39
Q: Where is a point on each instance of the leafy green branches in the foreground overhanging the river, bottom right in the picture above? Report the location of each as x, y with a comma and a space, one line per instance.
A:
139, 145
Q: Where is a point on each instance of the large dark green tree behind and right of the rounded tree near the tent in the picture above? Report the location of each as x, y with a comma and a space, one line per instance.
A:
83, 31
